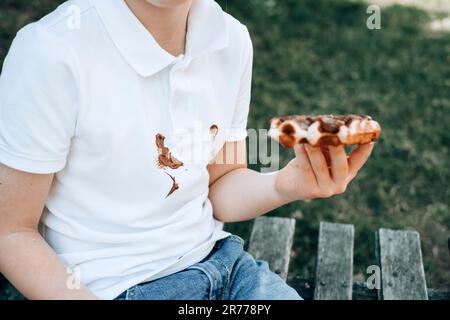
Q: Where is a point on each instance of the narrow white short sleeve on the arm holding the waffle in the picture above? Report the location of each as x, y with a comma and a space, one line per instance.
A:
238, 129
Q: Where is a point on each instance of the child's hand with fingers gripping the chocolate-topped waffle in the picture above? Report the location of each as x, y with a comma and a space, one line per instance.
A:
308, 176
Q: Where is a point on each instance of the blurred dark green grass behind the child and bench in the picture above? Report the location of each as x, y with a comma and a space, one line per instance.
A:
317, 56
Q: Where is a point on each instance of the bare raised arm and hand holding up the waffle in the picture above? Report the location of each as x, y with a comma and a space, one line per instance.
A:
306, 177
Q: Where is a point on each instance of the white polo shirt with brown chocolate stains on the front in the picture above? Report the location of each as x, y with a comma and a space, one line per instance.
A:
84, 93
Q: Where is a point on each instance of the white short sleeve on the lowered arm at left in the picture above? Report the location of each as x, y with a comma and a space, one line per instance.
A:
38, 102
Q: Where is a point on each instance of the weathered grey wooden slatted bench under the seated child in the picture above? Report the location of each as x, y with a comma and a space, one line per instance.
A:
398, 253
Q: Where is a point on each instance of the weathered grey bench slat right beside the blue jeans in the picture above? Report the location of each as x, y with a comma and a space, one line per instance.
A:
271, 240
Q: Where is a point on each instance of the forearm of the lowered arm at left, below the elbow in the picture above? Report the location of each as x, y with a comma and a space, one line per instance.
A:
35, 270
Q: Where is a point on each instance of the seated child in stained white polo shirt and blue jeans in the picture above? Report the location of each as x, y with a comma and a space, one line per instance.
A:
98, 178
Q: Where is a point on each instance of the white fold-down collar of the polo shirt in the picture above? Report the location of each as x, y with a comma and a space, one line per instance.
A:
207, 32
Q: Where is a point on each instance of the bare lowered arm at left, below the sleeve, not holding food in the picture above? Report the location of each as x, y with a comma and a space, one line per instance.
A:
25, 258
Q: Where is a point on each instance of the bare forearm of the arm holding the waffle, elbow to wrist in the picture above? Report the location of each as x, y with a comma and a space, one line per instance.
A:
244, 194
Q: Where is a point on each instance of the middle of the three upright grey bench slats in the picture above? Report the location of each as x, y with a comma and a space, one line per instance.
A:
334, 270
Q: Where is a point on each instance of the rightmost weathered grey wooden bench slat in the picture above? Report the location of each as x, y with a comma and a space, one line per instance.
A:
400, 259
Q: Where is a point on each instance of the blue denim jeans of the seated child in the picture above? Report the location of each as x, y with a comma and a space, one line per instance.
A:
227, 273
